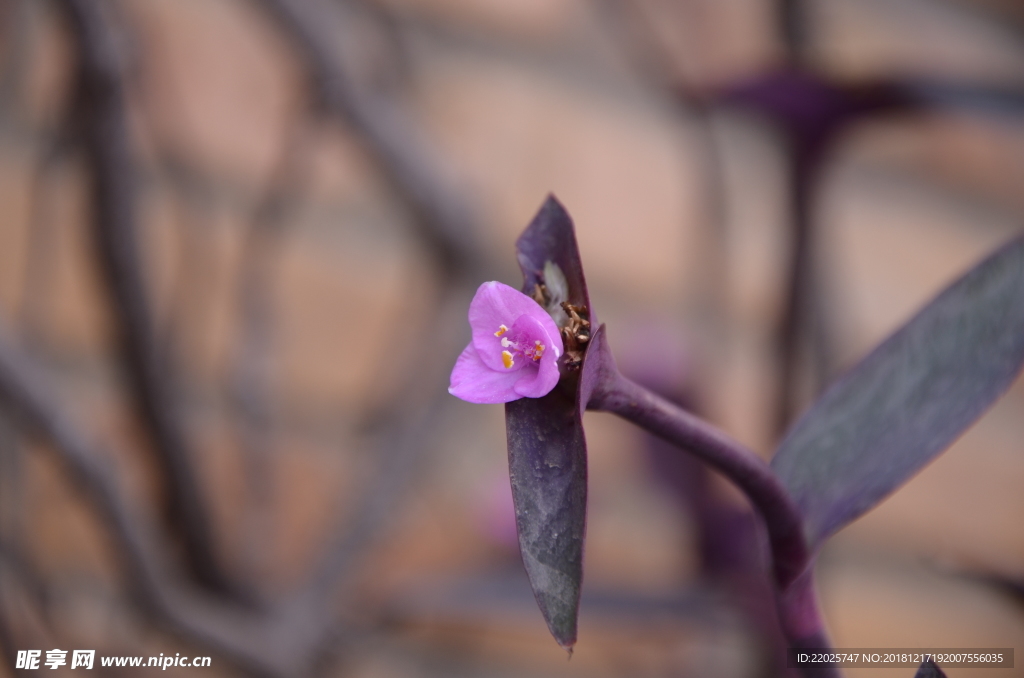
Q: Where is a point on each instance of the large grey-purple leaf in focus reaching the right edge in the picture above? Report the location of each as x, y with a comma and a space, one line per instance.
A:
910, 399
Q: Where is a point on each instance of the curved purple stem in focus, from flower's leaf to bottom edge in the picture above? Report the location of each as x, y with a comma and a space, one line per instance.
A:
792, 561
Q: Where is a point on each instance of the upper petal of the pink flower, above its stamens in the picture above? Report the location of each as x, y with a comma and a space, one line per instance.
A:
496, 305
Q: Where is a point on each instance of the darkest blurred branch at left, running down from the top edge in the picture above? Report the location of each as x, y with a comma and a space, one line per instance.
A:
103, 129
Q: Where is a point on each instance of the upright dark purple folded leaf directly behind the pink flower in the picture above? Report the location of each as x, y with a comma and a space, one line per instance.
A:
547, 449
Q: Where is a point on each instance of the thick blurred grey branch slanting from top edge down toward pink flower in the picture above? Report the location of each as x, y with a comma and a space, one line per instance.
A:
444, 220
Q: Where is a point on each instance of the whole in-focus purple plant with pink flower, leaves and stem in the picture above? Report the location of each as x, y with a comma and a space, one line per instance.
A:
539, 353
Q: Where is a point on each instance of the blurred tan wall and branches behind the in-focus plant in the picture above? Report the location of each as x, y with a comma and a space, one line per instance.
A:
238, 241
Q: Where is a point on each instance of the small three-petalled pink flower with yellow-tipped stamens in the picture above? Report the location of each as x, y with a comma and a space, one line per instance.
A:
515, 352
